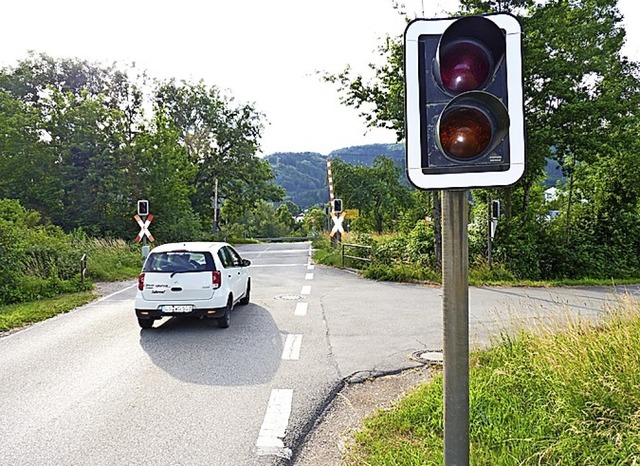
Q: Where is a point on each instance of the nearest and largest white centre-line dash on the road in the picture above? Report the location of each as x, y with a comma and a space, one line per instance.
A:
274, 427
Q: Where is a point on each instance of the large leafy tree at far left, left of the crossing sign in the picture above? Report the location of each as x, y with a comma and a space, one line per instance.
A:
85, 118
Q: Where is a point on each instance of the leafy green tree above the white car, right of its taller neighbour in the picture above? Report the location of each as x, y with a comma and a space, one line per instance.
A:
222, 140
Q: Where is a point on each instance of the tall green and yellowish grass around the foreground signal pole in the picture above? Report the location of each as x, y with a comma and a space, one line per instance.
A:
569, 397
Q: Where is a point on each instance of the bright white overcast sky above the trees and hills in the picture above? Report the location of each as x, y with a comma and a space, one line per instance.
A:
262, 51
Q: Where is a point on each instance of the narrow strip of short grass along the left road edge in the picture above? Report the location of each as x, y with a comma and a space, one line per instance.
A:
19, 315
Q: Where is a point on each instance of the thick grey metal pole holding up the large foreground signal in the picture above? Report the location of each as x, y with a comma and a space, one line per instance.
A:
455, 307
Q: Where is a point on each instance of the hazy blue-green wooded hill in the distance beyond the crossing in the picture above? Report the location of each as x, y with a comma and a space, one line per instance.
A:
304, 174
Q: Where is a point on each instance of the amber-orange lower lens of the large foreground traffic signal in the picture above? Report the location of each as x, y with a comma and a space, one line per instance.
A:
465, 132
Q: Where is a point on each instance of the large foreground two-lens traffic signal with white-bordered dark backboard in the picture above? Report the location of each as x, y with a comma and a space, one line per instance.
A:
464, 112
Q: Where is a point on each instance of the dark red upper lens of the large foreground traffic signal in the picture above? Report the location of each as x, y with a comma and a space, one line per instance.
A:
464, 66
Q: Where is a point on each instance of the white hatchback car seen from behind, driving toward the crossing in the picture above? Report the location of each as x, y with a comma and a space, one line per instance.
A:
203, 279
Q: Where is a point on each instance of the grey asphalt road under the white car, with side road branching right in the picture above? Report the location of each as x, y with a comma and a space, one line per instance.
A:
90, 387
